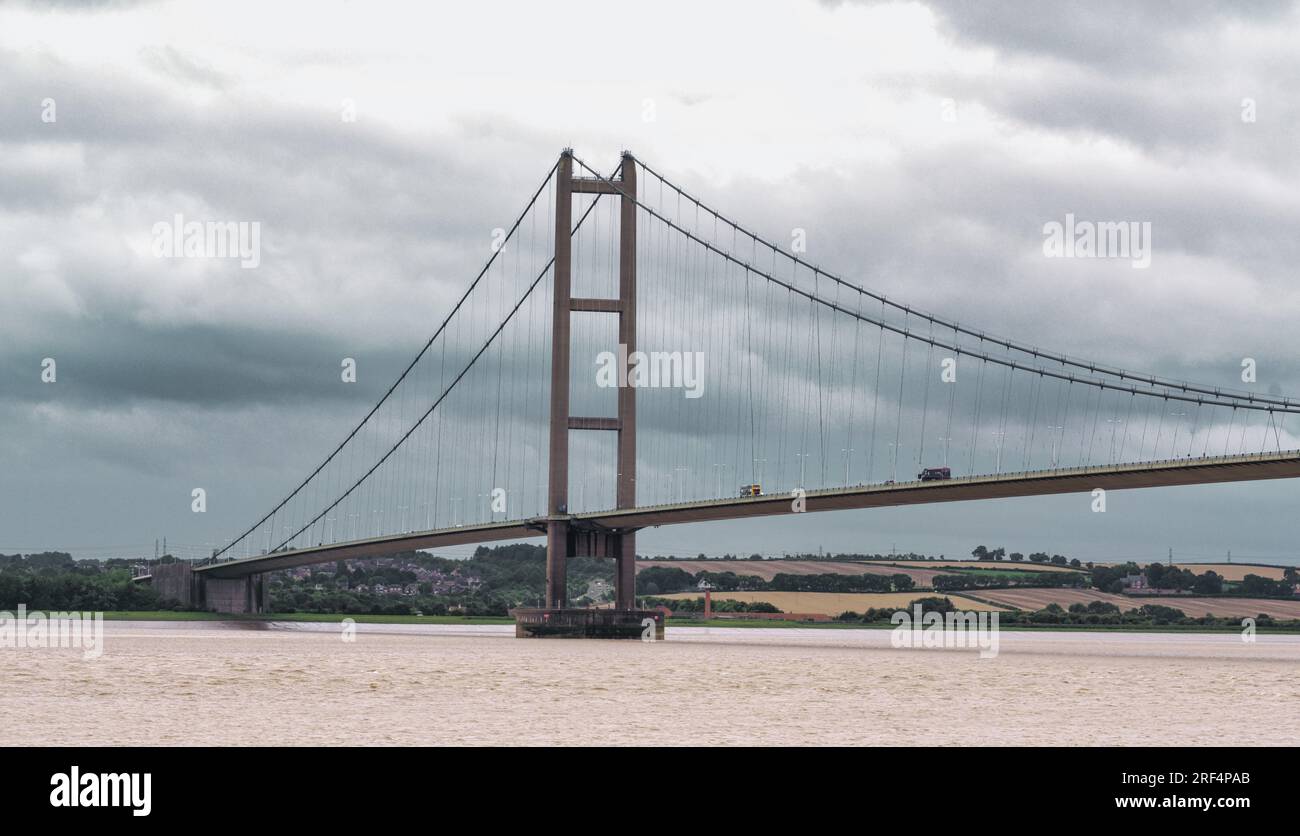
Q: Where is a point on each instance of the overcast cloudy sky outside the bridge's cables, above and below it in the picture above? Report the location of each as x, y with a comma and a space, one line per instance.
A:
922, 146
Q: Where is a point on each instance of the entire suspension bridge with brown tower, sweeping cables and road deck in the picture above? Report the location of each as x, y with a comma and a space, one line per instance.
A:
631, 357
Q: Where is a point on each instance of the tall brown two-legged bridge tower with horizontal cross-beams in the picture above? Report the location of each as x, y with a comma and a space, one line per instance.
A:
562, 539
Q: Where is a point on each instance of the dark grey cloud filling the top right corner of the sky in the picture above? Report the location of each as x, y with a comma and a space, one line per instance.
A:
1164, 76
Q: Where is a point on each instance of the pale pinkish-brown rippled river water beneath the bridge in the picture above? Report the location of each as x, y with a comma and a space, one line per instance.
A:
291, 683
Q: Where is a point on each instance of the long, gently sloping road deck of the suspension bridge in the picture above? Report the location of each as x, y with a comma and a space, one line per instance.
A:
1028, 484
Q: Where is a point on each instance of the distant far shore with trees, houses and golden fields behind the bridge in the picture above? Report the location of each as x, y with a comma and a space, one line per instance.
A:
1038, 588
